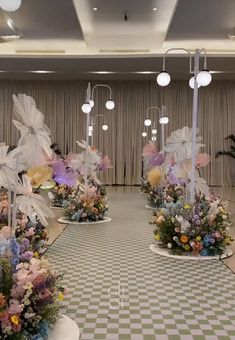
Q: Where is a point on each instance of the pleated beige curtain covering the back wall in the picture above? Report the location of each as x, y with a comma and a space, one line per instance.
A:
61, 102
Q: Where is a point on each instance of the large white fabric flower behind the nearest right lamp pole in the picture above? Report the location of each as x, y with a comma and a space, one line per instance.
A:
179, 144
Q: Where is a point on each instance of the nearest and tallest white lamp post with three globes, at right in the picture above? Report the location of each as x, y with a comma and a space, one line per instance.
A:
199, 78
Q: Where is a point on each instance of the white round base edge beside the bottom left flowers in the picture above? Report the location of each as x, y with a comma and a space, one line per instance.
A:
65, 329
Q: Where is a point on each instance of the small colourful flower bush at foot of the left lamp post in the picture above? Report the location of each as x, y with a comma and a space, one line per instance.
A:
87, 206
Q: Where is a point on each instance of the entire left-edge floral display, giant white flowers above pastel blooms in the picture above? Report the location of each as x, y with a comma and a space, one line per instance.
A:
30, 292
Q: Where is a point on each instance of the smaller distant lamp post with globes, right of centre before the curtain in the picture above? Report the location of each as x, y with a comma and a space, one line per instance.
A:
163, 120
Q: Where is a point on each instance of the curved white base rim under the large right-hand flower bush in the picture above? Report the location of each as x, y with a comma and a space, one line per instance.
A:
165, 252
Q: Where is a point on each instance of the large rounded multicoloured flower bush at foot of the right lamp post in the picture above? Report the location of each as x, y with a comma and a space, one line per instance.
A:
198, 229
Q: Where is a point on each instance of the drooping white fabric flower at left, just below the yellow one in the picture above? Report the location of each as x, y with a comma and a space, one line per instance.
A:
30, 203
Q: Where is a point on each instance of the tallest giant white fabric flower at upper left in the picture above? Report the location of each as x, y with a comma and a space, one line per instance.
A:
35, 135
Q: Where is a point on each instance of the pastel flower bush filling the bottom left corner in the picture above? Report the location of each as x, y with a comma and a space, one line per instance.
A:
30, 293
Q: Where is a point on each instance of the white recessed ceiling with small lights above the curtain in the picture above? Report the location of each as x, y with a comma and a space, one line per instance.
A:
70, 38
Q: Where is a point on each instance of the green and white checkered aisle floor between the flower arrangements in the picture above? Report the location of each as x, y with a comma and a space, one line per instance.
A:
119, 289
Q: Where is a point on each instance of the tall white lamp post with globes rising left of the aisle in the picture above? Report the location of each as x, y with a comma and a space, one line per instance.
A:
86, 108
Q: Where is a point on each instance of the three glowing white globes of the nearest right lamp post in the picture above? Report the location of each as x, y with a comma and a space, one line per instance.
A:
203, 79
